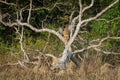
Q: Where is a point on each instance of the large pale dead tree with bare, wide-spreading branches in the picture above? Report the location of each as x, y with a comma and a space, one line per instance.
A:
73, 28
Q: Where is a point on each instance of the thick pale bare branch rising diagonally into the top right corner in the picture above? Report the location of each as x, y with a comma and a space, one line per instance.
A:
99, 14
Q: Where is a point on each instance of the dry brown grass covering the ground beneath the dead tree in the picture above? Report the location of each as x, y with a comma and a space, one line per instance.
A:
92, 68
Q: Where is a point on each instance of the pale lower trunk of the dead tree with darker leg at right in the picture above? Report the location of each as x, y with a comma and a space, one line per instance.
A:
66, 57
